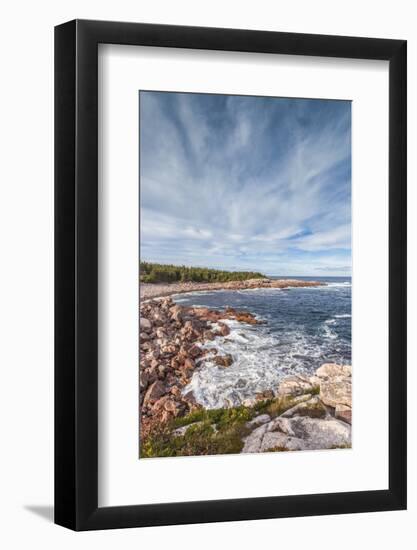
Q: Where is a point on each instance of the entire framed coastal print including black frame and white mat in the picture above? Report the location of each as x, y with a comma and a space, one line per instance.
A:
230, 275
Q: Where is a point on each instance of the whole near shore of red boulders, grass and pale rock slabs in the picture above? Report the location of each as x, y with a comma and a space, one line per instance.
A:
302, 413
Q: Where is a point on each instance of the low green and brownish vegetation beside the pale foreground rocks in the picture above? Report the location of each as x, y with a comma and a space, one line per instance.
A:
210, 432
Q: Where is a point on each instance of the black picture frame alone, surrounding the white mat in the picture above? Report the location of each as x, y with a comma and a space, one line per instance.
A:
76, 273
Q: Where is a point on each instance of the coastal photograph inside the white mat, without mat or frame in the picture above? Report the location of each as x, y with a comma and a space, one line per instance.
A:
245, 274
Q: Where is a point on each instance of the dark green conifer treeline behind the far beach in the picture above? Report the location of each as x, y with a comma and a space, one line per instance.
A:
162, 273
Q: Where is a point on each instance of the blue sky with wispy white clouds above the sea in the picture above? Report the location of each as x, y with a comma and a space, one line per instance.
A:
246, 183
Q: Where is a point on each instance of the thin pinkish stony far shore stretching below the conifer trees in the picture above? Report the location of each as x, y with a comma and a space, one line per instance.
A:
159, 290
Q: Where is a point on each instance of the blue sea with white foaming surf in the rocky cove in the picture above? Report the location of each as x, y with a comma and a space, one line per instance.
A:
303, 328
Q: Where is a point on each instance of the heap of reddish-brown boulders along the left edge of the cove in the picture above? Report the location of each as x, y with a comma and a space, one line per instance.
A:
171, 338
